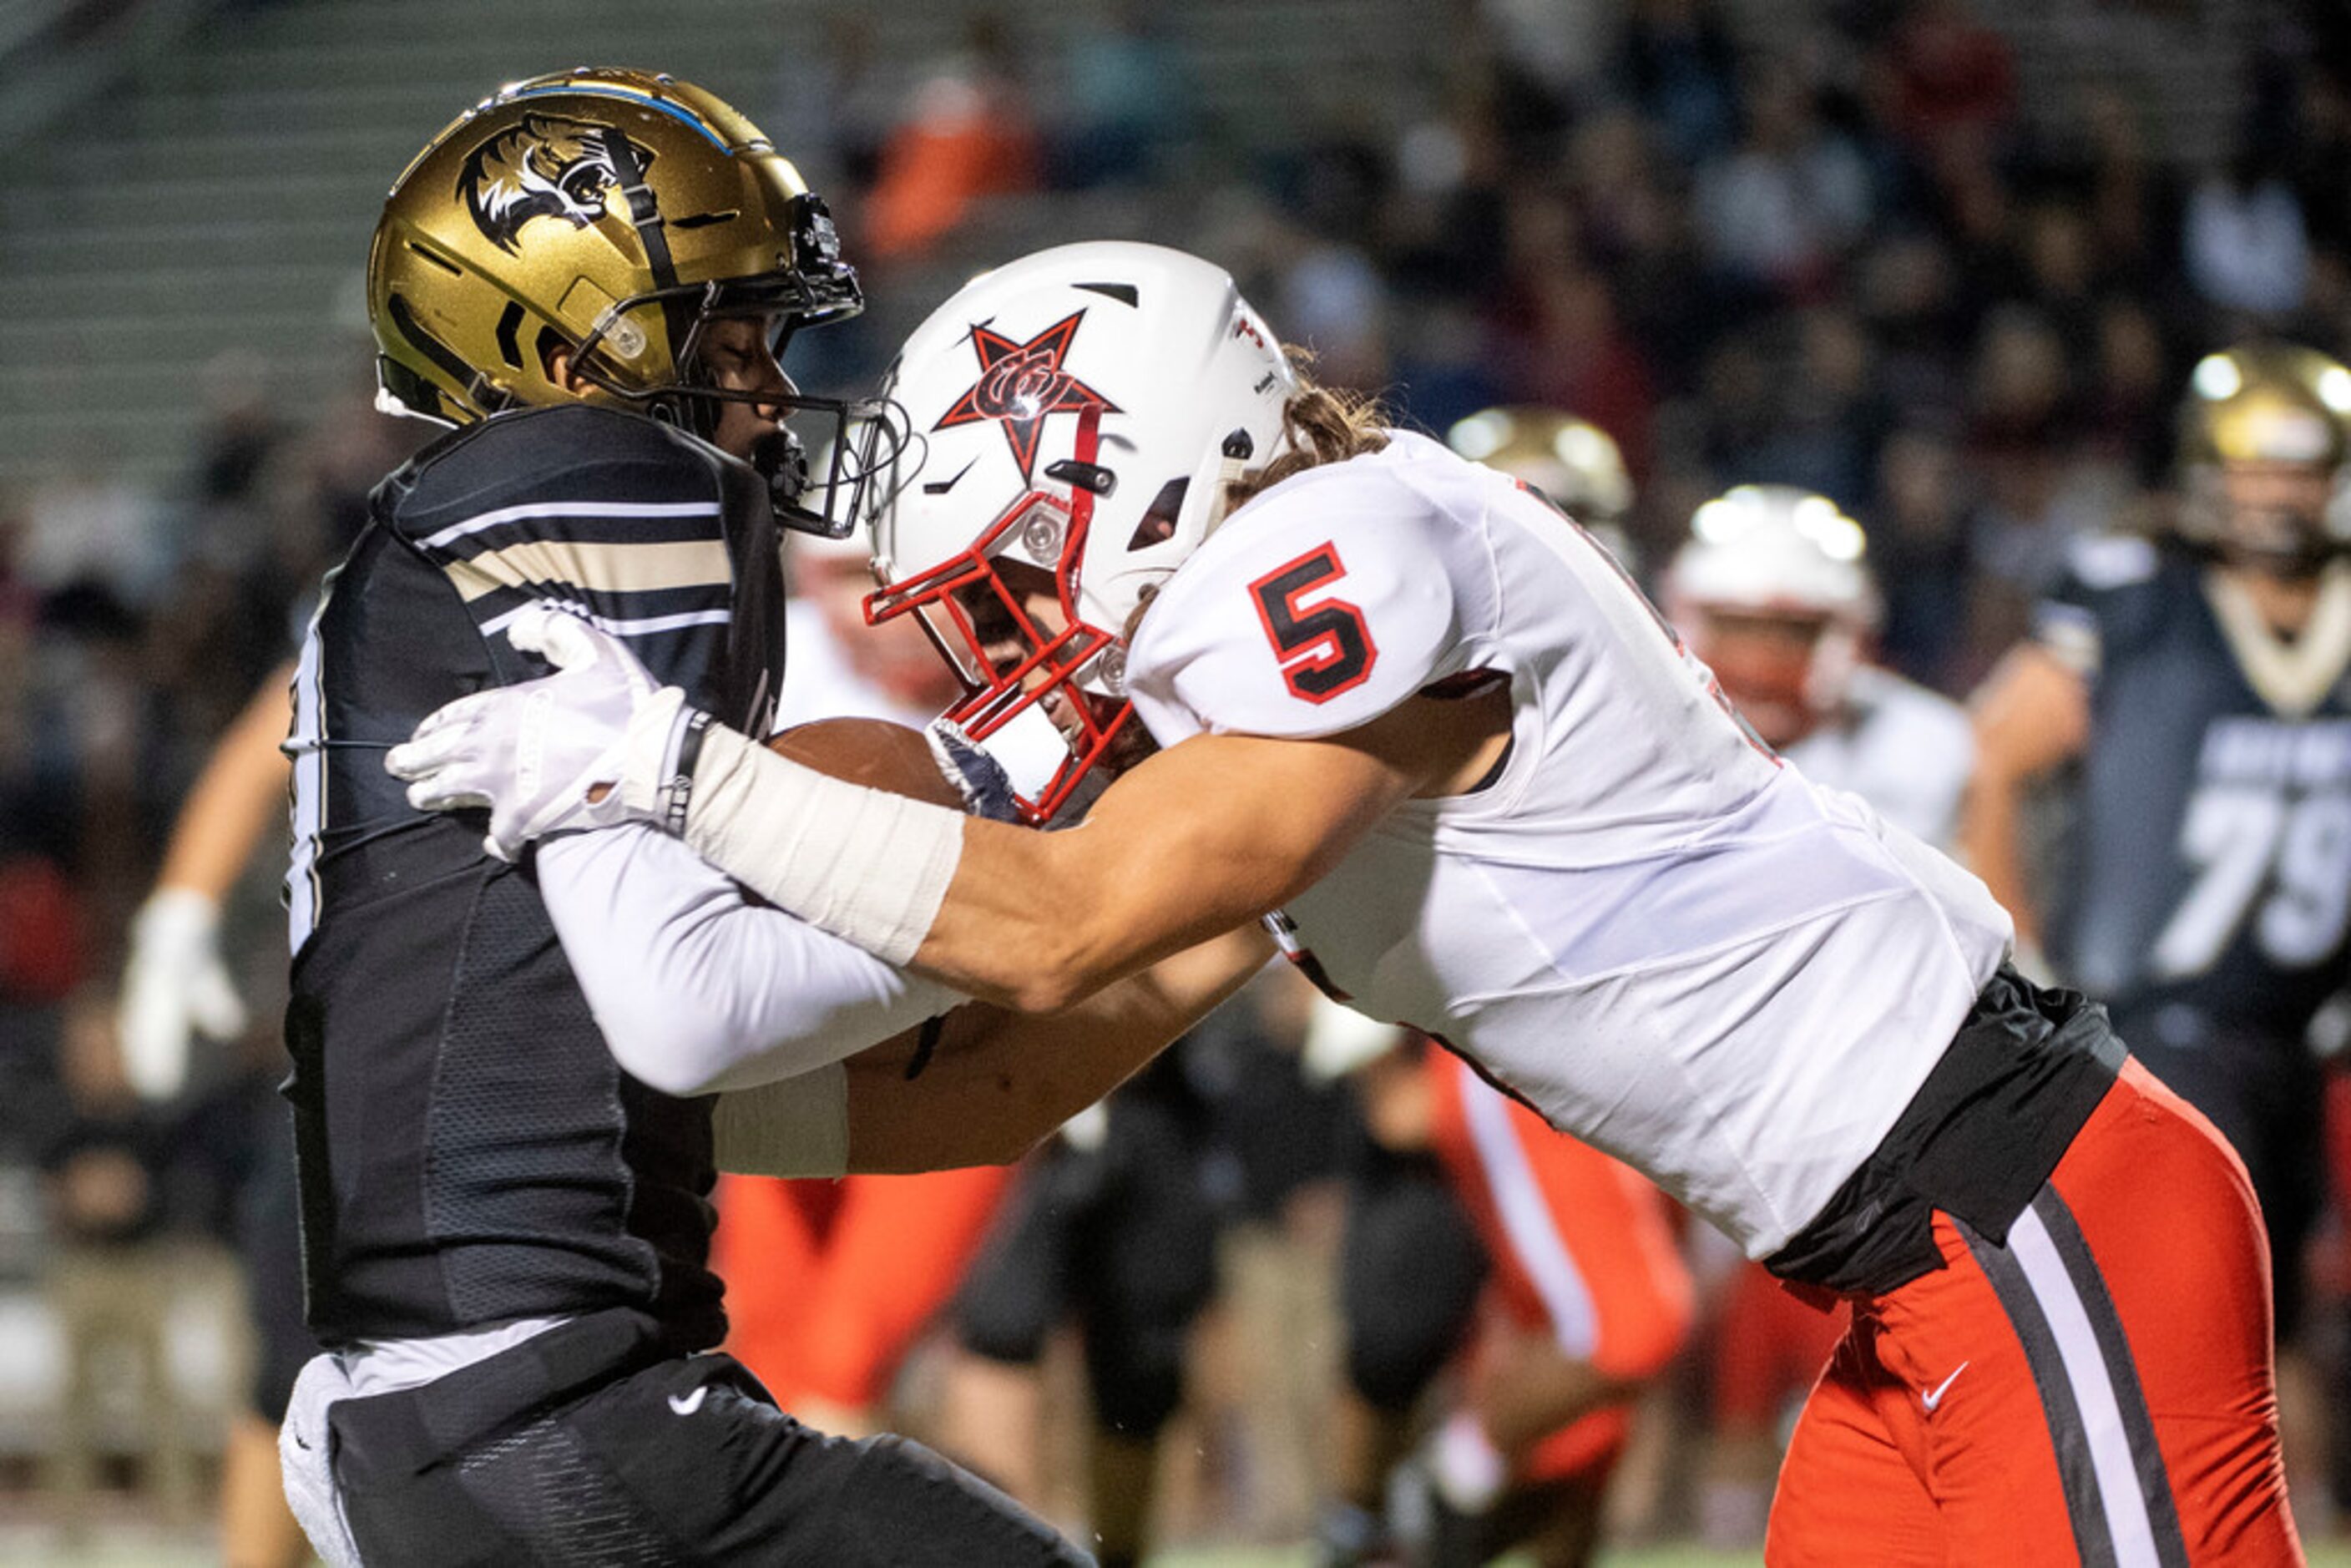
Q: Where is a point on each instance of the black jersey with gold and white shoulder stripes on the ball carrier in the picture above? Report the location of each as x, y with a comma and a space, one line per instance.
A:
469, 1148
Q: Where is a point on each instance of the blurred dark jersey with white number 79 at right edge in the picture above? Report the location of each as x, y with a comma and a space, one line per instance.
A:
2213, 826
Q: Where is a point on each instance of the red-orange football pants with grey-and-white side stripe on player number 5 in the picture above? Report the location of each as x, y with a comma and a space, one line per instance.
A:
2098, 1391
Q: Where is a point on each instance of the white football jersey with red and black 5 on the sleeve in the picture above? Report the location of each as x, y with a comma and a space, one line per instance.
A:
1649, 927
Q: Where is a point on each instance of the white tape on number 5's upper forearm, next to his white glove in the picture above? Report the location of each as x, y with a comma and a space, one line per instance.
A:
859, 864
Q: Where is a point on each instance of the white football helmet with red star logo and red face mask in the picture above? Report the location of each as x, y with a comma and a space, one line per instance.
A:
1073, 420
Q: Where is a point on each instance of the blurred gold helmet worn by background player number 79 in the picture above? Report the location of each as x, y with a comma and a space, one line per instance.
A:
2265, 457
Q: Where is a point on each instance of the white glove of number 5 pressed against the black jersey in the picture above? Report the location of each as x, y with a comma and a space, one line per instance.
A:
589, 746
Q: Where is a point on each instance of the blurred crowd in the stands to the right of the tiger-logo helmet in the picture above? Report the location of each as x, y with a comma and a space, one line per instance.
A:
1849, 262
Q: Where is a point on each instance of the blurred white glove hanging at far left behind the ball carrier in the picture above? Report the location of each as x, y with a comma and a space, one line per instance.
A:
173, 986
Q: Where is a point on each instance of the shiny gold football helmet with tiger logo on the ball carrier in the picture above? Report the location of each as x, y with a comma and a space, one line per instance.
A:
612, 215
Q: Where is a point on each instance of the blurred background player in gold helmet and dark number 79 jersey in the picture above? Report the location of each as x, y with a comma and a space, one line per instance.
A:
2197, 685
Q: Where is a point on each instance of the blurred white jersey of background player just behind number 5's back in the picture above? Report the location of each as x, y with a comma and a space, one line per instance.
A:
1903, 749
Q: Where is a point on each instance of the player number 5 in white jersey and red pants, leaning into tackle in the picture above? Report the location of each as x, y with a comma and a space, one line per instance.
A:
1499, 800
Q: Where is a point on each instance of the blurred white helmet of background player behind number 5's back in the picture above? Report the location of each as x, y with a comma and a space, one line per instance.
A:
1774, 596
